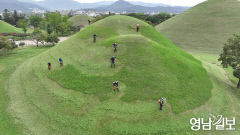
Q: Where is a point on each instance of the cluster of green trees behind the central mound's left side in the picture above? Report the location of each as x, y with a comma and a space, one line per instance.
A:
45, 27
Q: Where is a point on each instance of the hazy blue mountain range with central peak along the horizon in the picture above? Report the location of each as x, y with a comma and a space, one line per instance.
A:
119, 6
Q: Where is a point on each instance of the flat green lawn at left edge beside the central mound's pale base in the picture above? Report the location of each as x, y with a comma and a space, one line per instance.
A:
8, 64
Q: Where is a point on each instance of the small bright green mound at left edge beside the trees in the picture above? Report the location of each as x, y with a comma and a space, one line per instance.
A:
6, 28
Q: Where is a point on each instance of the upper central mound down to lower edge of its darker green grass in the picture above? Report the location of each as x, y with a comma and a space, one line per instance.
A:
149, 66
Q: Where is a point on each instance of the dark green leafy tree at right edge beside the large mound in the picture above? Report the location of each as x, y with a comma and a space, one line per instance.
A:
231, 56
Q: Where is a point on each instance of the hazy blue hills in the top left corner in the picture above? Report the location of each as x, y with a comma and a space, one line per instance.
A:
17, 5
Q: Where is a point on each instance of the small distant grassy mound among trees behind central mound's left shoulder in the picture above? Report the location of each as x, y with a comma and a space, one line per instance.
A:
80, 20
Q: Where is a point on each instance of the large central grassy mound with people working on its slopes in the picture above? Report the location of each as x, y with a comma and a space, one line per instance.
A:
78, 98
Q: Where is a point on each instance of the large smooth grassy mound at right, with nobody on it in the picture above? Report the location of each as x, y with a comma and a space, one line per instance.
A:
205, 27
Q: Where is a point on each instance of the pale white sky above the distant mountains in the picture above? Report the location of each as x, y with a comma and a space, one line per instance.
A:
169, 2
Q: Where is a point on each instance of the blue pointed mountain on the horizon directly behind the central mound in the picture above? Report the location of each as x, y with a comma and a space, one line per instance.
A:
124, 6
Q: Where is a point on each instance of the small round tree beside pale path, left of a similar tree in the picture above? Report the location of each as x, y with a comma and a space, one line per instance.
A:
38, 36
